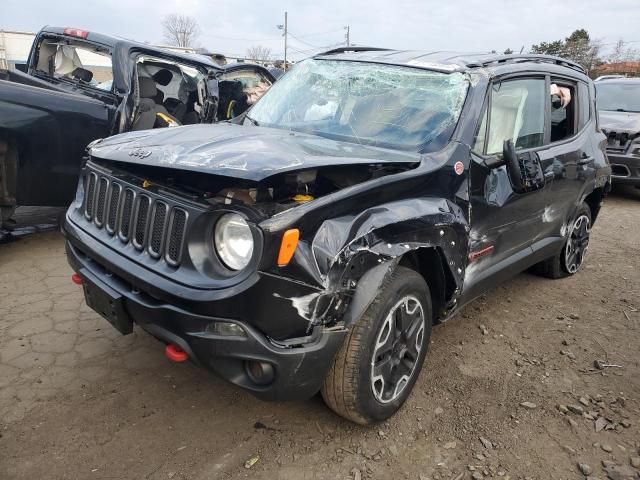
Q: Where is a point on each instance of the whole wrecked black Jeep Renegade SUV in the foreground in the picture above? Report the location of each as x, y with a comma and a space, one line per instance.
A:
369, 194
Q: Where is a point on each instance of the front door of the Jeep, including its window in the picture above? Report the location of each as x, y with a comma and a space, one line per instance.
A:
504, 222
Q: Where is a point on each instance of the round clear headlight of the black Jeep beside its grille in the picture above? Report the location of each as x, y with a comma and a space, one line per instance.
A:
233, 241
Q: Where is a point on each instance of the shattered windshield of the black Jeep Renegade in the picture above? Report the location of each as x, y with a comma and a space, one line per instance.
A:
383, 105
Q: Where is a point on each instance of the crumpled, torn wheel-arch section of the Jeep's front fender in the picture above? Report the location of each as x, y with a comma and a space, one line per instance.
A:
351, 256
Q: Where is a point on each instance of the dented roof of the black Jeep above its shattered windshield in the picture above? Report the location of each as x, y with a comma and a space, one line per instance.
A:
445, 61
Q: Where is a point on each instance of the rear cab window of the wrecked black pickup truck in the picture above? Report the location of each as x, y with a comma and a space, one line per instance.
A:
77, 62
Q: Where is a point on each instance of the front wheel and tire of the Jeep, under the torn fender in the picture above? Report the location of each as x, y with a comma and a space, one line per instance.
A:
381, 358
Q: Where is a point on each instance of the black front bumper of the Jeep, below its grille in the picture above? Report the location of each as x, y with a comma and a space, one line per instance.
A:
298, 370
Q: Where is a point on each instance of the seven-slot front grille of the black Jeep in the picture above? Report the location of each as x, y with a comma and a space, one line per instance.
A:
137, 217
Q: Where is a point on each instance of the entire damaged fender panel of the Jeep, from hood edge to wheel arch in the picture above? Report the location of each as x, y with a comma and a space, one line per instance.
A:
351, 254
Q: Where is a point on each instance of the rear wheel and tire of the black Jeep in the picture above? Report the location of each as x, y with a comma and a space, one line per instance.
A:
570, 259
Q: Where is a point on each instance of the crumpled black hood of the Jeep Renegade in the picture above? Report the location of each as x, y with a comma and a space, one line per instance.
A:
247, 152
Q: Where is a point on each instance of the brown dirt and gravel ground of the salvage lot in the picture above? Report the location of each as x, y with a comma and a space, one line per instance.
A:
77, 400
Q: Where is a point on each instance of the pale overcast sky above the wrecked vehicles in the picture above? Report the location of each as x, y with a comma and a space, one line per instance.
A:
230, 27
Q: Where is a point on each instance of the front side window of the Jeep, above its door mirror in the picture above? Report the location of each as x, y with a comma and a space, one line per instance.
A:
516, 113
